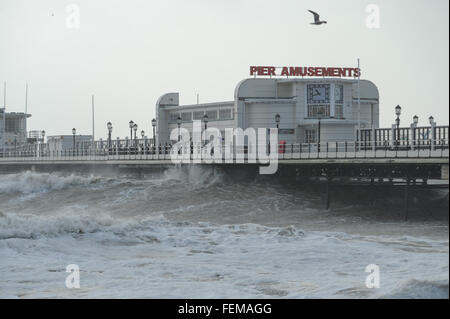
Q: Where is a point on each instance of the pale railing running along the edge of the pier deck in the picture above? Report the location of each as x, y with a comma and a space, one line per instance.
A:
140, 150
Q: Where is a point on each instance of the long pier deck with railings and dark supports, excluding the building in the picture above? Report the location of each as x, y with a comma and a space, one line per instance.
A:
408, 164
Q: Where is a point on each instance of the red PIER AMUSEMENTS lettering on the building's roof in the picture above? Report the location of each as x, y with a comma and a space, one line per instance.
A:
304, 71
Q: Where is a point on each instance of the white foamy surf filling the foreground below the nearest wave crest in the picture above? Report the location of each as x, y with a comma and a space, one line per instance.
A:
155, 257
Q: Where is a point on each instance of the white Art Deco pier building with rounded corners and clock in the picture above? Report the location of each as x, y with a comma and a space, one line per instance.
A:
311, 109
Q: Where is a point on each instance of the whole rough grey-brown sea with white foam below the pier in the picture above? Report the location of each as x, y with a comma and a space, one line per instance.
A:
190, 233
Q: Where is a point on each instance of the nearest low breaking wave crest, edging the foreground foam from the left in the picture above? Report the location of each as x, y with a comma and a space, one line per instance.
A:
34, 226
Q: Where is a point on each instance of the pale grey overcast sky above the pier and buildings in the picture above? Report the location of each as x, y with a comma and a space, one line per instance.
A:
128, 53
